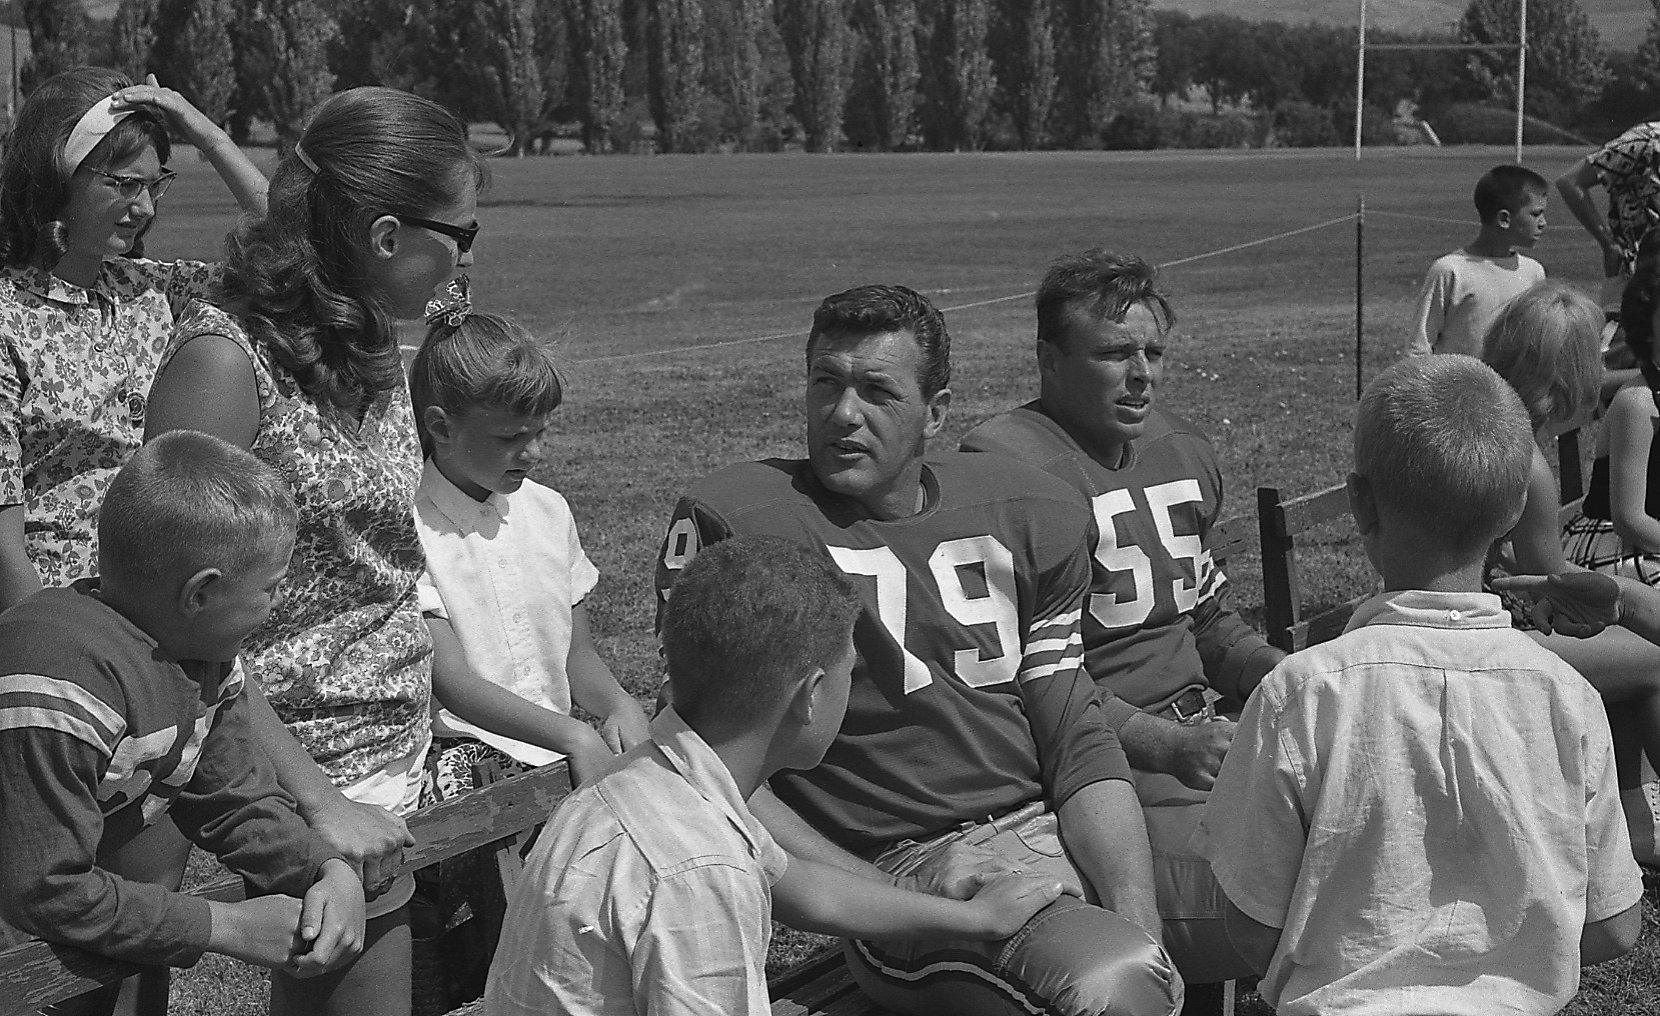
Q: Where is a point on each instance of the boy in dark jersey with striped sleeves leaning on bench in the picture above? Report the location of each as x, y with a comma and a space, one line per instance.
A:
122, 701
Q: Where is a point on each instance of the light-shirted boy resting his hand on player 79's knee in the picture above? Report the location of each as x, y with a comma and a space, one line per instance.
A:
653, 889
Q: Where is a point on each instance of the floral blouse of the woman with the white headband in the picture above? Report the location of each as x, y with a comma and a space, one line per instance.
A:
74, 376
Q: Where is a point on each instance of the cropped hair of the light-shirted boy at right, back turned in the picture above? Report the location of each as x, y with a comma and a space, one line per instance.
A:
1445, 442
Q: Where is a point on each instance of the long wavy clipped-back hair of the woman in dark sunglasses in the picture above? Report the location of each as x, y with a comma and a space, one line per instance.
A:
298, 273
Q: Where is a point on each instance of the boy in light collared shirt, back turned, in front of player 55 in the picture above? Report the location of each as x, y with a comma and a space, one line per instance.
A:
1422, 816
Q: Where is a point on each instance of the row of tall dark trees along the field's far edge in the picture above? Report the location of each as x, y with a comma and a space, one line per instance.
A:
831, 74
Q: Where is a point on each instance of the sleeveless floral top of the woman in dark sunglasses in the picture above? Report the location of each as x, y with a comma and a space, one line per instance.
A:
344, 660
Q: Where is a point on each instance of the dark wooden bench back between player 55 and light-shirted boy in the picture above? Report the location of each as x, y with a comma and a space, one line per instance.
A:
1282, 524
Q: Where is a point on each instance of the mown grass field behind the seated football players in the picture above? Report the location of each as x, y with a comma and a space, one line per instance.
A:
640, 266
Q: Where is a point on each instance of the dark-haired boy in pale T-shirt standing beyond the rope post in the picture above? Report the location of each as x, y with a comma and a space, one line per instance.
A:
1468, 288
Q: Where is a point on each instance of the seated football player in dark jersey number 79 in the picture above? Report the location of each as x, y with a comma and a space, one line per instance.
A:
974, 741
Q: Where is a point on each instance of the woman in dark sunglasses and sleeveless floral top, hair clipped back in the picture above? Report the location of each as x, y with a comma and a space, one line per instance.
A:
369, 220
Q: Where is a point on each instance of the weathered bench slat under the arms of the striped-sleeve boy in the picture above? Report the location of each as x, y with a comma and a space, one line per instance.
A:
36, 974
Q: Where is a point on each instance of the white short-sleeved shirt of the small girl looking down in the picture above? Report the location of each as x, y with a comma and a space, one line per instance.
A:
507, 574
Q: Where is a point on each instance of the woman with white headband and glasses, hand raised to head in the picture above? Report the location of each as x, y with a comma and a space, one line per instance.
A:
84, 316
